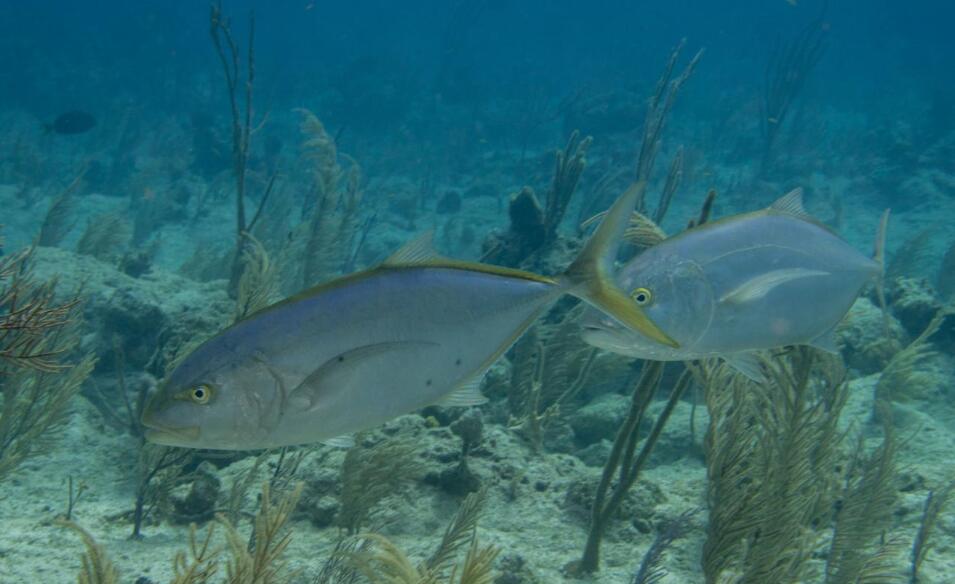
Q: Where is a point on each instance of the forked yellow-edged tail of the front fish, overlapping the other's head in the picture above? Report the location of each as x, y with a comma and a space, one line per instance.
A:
590, 277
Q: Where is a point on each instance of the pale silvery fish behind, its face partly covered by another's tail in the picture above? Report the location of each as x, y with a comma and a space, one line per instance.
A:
729, 288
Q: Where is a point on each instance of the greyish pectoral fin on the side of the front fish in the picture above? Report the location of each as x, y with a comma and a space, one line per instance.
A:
341, 370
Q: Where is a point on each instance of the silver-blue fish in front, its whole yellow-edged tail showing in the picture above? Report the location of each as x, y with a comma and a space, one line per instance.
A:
358, 351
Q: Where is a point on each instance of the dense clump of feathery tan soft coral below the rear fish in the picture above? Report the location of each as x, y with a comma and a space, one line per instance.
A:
775, 463
